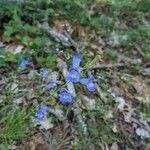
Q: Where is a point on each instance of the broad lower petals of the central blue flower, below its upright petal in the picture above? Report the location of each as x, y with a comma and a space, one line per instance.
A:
73, 76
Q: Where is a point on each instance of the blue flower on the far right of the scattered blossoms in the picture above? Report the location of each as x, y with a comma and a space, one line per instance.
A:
88, 82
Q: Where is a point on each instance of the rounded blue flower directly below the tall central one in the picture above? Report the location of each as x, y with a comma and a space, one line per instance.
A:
65, 96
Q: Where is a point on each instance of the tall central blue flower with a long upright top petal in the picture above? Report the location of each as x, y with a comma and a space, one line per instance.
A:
74, 71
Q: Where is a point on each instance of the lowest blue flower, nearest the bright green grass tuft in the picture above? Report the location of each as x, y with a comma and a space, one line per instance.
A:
41, 113
